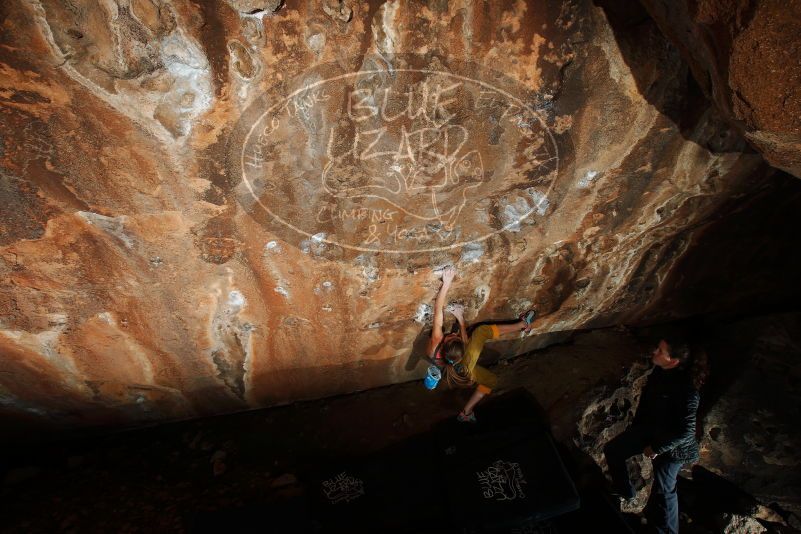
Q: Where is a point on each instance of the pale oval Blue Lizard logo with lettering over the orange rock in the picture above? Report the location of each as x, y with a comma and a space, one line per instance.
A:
395, 162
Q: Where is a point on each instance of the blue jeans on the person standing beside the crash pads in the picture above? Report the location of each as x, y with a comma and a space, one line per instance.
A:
664, 502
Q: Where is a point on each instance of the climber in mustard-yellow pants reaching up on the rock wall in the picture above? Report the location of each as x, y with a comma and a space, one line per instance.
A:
457, 353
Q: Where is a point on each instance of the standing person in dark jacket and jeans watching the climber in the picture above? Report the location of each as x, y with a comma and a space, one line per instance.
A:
663, 429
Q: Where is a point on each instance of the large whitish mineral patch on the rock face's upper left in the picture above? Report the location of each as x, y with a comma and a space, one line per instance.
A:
162, 85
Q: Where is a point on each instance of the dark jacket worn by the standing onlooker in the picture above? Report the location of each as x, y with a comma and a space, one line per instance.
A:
667, 412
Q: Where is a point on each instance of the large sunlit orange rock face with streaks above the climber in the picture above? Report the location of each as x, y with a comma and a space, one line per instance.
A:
211, 206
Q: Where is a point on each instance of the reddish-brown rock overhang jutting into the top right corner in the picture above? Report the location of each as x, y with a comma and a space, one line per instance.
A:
744, 53
